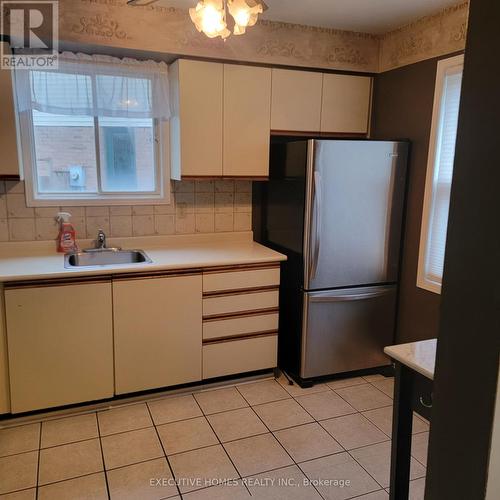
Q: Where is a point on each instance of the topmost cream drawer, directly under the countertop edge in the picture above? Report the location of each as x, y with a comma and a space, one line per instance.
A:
254, 278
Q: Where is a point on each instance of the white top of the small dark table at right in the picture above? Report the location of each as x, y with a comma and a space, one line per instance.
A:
420, 356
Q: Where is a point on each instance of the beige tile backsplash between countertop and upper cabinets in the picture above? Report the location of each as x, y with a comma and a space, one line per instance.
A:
196, 207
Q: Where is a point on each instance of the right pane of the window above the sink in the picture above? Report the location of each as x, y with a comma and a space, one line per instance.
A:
127, 154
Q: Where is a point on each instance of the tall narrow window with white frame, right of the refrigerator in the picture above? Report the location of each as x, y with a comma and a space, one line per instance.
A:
439, 173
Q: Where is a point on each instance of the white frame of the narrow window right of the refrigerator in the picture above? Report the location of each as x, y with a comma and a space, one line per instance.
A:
443, 68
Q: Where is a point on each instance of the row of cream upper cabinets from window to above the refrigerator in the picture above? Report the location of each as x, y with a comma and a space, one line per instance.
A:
223, 114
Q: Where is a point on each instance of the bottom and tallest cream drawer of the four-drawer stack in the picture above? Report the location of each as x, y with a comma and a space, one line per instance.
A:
238, 356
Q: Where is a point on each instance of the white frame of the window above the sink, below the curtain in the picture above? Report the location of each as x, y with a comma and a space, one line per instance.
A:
161, 151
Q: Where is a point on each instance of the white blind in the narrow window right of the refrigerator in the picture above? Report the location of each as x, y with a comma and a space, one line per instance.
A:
443, 172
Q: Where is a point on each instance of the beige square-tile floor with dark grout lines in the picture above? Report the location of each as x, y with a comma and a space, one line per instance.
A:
263, 439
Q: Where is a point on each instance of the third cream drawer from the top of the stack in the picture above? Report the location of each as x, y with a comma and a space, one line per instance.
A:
240, 326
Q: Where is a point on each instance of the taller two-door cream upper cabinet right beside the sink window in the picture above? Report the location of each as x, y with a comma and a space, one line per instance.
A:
220, 124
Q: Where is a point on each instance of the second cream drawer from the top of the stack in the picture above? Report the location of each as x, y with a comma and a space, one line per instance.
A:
227, 304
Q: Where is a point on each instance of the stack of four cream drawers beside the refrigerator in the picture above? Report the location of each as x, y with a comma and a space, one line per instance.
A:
240, 319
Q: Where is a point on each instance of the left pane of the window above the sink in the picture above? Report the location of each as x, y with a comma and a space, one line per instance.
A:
65, 154
